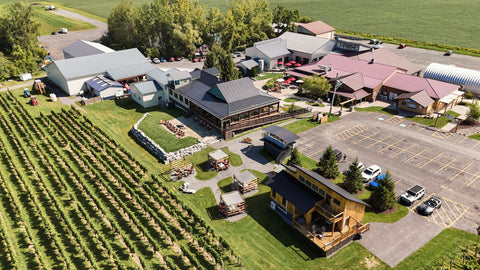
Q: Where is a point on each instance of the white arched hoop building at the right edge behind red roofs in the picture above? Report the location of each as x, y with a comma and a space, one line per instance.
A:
468, 79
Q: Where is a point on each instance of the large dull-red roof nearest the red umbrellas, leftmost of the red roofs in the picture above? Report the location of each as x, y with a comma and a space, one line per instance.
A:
373, 74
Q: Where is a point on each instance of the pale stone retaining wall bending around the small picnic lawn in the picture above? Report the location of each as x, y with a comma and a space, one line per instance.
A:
157, 151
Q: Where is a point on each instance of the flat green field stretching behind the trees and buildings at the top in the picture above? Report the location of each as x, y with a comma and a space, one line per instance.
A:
438, 21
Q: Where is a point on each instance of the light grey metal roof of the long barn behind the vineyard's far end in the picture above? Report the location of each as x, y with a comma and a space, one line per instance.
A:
85, 66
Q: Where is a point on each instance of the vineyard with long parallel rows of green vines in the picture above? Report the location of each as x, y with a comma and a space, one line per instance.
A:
72, 198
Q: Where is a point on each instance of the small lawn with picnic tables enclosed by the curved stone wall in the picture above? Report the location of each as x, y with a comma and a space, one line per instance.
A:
159, 134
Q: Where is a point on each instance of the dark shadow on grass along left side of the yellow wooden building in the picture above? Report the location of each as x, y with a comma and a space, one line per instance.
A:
258, 209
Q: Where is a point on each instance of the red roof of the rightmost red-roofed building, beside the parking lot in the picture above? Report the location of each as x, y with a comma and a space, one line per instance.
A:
408, 83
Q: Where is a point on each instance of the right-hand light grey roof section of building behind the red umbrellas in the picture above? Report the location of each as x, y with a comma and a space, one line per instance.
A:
305, 43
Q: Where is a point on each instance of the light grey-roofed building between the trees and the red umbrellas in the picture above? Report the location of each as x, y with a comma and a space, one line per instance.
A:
290, 47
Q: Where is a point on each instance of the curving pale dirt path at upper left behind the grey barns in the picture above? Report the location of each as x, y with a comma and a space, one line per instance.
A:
55, 43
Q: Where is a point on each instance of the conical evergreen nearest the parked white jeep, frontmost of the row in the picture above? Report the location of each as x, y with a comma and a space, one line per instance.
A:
383, 197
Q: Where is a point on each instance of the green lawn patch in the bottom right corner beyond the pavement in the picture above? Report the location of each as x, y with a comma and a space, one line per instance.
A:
441, 249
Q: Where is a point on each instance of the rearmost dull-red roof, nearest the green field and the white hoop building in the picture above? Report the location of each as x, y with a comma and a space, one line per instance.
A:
387, 57
